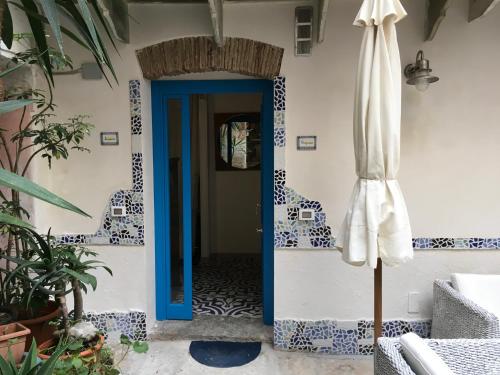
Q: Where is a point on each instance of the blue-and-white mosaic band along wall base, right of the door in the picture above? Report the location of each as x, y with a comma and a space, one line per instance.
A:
345, 338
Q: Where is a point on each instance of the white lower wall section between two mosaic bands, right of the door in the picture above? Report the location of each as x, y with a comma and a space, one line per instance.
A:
317, 284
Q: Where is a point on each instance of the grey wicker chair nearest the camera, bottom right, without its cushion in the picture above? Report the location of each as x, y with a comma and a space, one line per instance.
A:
463, 357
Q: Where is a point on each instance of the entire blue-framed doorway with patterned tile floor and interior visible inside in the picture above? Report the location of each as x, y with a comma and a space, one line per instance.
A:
213, 172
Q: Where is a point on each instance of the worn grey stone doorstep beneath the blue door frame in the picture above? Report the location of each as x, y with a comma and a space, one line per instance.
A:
213, 328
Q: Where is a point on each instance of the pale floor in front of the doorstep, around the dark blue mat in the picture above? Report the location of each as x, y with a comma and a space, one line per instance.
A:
172, 357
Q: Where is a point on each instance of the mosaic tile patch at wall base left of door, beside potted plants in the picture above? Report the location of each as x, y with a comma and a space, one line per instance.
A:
131, 324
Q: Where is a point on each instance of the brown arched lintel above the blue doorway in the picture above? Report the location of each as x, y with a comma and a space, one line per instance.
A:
201, 54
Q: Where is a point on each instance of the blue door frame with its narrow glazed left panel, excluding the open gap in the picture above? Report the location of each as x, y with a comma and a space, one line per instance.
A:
170, 104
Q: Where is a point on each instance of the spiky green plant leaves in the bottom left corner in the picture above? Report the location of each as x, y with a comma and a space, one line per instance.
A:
30, 364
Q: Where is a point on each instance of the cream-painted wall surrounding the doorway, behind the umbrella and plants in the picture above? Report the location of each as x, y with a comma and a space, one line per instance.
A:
449, 151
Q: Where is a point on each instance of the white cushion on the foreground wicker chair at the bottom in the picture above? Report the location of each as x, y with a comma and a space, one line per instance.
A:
421, 358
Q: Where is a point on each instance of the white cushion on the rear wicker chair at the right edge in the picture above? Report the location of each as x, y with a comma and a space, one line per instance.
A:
481, 289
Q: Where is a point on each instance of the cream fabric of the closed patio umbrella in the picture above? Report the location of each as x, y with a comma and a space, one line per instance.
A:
377, 223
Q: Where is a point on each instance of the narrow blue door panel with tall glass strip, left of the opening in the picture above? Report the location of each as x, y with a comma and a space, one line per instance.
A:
172, 173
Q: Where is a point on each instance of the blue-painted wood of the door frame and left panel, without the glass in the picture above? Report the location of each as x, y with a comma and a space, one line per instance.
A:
161, 91
